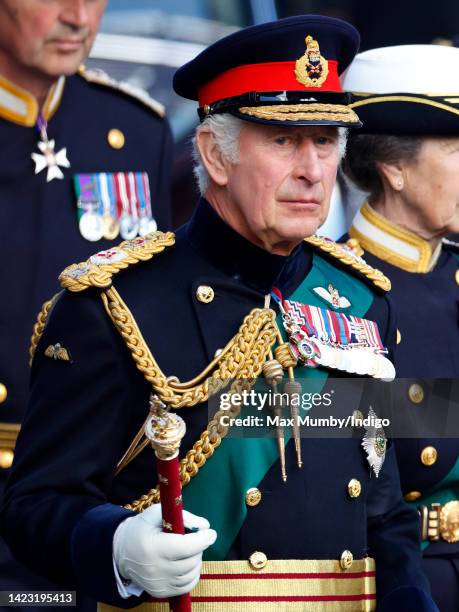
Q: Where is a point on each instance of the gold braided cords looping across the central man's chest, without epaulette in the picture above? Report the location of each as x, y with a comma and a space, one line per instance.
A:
241, 360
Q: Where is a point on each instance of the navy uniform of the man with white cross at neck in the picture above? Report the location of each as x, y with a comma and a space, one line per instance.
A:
38, 220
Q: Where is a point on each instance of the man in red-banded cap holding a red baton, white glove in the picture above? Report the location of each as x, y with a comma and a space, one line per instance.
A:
174, 317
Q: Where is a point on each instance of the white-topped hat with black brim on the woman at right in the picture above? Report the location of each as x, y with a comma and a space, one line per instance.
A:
406, 89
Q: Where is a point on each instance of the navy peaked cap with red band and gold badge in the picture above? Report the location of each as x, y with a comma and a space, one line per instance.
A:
284, 71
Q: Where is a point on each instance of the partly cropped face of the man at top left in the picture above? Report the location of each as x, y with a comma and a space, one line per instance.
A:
51, 37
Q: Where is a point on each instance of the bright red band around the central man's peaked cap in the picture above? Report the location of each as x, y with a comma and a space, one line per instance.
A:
272, 76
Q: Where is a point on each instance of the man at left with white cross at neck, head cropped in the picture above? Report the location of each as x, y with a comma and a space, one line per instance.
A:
64, 138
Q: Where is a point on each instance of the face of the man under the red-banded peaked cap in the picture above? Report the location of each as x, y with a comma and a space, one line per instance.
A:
280, 190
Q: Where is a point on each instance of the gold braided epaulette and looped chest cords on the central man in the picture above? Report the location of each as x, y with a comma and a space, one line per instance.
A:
241, 361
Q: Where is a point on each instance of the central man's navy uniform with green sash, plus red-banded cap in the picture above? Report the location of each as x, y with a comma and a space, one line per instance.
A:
175, 311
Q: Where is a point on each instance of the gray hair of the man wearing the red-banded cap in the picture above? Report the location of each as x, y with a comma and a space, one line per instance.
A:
225, 129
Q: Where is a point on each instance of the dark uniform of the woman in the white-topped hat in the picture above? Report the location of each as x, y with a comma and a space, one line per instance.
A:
426, 303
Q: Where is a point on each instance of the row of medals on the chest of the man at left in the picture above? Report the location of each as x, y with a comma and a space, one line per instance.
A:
114, 203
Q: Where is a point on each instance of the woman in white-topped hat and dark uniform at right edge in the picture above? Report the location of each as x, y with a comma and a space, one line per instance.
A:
407, 159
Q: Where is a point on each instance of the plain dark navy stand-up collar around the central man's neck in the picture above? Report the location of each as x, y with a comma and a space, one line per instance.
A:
239, 258
